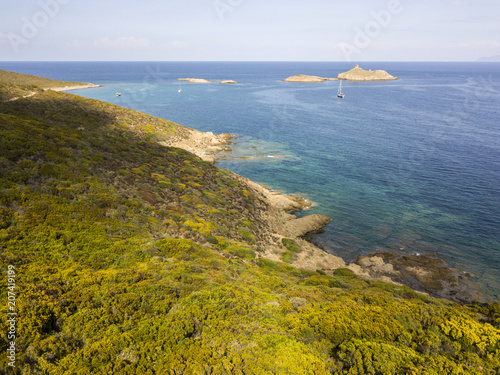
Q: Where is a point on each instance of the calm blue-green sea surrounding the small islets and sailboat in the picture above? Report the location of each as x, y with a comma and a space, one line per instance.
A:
410, 166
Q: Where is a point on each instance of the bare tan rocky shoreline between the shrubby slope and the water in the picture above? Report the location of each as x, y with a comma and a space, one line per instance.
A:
425, 273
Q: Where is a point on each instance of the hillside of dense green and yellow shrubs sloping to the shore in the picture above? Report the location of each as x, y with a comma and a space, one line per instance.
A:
135, 258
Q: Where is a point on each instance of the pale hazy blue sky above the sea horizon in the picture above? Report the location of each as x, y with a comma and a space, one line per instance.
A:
249, 30
